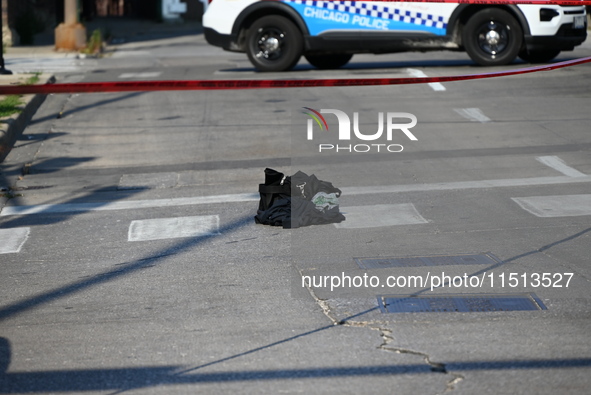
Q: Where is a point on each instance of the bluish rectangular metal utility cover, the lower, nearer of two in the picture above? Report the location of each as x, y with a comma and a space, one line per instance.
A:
460, 303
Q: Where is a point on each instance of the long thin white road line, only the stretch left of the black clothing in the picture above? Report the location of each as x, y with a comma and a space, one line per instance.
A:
126, 205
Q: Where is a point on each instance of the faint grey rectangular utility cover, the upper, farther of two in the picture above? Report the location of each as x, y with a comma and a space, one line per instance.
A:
437, 260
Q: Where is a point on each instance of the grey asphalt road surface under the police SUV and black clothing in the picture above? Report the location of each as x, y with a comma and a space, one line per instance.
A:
132, 264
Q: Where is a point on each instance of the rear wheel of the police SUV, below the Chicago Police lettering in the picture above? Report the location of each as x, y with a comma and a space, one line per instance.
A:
274, 43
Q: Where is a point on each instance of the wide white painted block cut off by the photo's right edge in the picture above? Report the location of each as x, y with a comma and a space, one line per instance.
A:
556, 206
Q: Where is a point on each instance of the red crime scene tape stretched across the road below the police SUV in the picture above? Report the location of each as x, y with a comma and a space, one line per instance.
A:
194, 85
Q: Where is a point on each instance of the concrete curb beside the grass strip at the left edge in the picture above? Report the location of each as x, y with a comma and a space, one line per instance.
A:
12, 127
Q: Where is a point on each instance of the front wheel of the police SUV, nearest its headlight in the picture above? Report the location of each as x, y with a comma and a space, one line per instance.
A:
492, 37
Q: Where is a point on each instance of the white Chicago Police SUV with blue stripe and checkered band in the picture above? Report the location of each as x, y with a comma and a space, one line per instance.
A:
276, 33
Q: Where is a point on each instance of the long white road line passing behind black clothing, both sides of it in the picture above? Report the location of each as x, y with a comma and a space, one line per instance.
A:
252, 197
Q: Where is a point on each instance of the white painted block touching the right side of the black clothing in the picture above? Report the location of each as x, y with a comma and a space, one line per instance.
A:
358, 217
